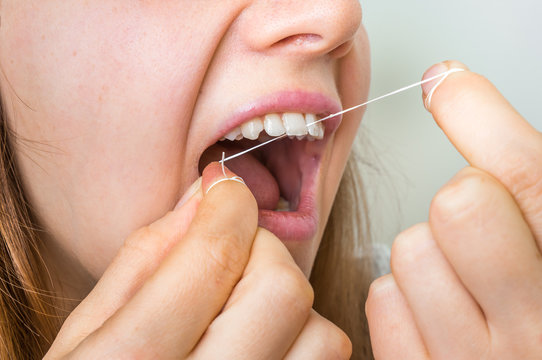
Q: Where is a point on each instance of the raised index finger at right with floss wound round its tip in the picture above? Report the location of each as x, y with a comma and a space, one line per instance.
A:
491, 135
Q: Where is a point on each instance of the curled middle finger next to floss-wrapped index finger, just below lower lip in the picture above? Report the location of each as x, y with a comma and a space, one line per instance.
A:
266, 310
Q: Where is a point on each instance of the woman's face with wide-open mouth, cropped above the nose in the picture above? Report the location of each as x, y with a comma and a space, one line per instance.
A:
115, 101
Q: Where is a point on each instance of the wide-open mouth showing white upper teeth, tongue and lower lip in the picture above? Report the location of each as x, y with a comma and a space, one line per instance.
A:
283, 175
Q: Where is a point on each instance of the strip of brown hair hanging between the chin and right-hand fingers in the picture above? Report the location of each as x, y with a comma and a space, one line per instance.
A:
344, 269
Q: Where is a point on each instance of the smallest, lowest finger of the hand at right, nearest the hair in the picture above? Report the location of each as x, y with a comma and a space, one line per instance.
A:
394, 334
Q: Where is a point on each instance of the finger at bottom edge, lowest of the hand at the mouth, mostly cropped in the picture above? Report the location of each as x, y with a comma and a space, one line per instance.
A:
320, 339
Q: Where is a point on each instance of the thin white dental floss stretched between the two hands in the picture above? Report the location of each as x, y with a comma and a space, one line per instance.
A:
444, 75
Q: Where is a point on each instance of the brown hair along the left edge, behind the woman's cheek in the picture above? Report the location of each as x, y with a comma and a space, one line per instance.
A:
28, 319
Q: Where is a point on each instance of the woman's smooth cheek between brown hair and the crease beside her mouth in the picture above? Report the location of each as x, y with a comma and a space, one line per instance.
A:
109, 93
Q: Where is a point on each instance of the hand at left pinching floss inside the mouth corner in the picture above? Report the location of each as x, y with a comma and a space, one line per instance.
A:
203, 282
